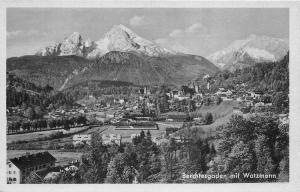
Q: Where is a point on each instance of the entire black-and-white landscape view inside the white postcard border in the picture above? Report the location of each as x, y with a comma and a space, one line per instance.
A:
147, 95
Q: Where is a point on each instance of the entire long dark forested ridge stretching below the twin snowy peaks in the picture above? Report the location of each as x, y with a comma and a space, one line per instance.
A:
62, 72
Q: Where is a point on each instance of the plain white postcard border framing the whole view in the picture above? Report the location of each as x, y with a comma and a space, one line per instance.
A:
293, 185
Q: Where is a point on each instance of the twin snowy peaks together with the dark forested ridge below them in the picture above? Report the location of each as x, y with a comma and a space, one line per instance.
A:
121, 55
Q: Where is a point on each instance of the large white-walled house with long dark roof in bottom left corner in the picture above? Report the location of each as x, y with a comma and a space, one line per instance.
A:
20, 167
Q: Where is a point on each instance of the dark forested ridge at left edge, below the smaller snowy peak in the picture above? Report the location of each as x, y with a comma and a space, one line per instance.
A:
47, 70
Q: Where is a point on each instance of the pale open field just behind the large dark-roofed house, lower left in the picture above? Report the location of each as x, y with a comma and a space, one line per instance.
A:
62, 158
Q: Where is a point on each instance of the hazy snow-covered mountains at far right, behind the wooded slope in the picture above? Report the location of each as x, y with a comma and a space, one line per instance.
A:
254, 49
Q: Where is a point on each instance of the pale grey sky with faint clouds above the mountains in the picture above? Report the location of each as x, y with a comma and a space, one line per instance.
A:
193, 30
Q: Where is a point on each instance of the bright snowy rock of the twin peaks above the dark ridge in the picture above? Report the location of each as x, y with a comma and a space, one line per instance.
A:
119, 38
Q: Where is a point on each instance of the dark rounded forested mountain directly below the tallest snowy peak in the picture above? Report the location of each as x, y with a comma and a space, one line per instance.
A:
147, 70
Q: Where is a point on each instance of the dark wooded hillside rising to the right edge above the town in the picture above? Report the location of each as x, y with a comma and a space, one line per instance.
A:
271, 78
